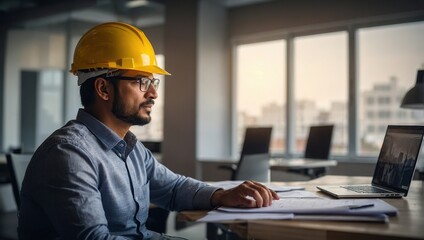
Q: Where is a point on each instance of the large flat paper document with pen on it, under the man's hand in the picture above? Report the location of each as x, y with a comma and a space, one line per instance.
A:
321, 206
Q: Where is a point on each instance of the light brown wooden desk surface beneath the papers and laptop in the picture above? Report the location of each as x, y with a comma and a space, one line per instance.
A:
408, 224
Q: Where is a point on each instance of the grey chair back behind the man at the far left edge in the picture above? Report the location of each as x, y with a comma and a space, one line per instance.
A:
17, 164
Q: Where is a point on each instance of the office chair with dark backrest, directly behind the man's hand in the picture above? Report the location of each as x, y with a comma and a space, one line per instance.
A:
254, 157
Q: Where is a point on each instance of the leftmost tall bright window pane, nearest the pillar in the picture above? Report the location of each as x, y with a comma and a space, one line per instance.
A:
261, 89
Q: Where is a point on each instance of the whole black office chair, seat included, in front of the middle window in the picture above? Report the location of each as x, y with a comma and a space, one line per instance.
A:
318, 146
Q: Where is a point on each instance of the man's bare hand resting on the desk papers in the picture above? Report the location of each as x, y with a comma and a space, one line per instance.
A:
249, 194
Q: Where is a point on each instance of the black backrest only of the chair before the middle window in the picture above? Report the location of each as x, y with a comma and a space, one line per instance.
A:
318, 145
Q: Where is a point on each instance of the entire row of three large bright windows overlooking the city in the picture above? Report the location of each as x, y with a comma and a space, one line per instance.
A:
386, 64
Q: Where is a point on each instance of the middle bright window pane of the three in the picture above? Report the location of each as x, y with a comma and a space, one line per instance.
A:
321, 87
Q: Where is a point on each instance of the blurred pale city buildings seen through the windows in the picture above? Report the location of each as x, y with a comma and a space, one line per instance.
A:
374, 117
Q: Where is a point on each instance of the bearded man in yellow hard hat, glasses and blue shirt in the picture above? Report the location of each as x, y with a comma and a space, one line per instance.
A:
92, 179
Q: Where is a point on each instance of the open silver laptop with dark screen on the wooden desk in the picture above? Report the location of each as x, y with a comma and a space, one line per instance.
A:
394, 169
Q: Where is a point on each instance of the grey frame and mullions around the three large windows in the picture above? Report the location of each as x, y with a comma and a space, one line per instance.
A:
351, 27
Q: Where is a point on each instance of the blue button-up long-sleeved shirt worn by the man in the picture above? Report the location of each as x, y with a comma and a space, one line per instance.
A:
85, 182
